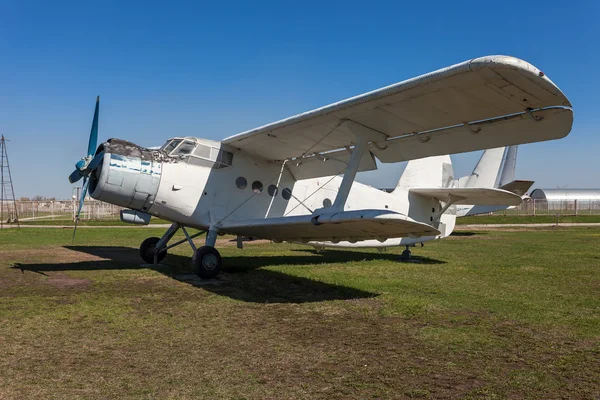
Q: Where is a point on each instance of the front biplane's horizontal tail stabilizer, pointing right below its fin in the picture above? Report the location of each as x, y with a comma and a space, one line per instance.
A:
471, 196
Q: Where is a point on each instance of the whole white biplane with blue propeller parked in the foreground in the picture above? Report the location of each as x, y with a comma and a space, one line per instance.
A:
250, 184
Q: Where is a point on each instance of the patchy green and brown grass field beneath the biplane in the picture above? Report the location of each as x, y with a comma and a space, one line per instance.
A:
489, 314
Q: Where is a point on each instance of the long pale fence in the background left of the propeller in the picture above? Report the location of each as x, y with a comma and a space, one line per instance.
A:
59, 210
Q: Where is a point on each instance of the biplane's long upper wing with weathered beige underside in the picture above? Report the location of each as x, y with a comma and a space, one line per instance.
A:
483, 103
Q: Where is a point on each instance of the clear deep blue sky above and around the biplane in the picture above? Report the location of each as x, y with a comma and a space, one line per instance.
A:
212, 70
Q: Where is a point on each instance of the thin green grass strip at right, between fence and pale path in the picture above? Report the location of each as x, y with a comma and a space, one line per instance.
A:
527, 219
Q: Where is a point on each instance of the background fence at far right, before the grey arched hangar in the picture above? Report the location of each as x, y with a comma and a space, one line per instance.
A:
553, 207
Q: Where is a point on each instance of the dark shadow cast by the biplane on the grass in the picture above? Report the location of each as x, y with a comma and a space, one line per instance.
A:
242, 277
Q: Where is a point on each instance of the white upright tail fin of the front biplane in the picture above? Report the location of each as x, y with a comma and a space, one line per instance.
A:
426, 172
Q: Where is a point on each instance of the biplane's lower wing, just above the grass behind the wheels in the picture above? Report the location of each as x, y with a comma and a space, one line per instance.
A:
331, 226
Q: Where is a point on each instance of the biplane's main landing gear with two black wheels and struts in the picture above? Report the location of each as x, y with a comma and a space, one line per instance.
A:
206, 261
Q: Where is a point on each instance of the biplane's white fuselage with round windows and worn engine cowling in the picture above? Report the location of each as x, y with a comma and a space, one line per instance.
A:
214, 183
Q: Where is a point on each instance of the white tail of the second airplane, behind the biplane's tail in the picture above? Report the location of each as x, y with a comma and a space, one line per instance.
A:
495, 169
